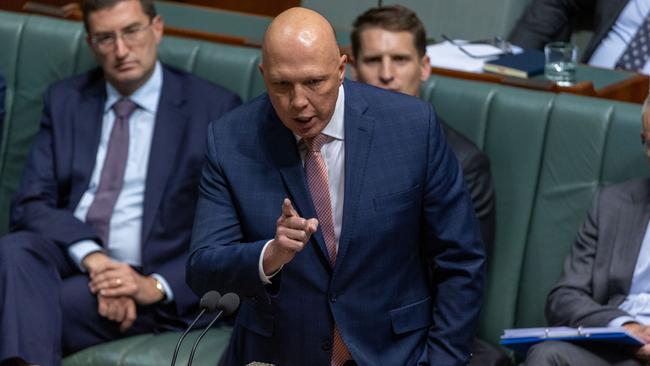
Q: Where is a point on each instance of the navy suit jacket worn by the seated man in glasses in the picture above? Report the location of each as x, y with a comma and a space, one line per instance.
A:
63, 157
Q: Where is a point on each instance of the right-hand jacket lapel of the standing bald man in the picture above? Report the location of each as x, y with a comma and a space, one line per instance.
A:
358, 137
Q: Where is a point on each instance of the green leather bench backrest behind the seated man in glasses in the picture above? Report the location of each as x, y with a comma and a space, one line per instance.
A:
40, 50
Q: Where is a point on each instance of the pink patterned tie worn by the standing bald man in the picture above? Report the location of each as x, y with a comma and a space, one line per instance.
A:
316, 172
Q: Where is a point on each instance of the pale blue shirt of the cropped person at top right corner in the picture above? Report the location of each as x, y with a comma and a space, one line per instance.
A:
614, 44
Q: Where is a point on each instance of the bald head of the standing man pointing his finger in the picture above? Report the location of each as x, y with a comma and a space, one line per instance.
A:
302, 69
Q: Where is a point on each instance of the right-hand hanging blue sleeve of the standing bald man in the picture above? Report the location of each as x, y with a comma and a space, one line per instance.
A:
455, 253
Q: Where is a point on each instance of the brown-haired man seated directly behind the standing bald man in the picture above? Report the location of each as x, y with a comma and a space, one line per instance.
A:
388, 48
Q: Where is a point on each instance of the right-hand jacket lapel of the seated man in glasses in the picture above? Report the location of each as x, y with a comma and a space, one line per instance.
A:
170, 122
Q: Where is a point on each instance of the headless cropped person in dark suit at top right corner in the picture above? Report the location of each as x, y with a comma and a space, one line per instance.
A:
620, 27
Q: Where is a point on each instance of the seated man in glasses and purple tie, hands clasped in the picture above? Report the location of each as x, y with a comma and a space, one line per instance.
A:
102, 218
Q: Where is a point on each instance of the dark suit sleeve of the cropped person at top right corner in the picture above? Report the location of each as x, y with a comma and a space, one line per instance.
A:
545, 21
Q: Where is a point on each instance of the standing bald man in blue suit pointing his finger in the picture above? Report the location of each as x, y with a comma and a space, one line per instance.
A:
325, 205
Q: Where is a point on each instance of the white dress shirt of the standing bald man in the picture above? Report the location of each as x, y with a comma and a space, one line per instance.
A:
333, 153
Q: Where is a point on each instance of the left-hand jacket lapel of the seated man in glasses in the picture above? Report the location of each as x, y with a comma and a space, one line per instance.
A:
87, 128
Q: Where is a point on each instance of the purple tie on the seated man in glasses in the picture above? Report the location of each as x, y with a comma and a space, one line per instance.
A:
112, 178
